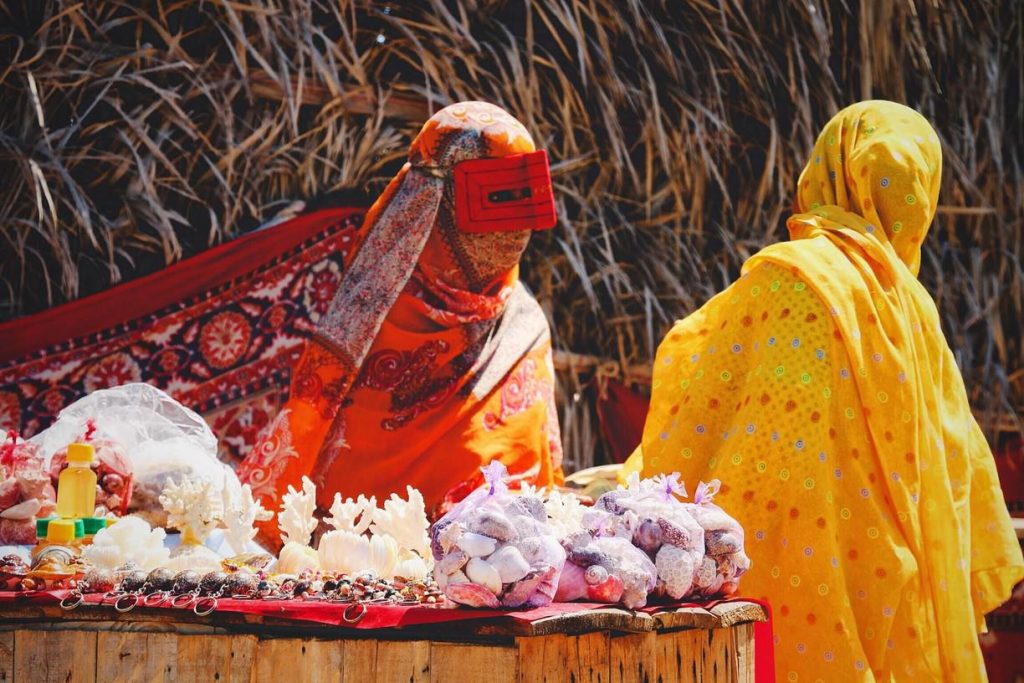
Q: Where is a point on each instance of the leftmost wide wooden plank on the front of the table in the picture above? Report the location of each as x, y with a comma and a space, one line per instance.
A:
65, 657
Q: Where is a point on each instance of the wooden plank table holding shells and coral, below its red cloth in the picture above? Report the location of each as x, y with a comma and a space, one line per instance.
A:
42, 645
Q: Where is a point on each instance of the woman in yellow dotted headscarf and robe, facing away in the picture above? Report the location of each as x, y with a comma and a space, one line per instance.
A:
821, 391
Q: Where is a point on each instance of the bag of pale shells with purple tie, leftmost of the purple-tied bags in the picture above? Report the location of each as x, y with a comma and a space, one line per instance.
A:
496, 549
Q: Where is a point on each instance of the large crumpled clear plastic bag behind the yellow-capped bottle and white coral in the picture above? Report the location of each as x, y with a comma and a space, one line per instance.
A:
161, 440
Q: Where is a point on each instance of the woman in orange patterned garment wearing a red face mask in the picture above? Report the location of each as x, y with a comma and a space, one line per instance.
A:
433, 360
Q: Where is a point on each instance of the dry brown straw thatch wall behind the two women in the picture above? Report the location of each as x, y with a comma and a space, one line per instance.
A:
136, 134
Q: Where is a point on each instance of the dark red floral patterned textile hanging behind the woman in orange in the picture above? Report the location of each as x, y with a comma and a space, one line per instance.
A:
226, 351
